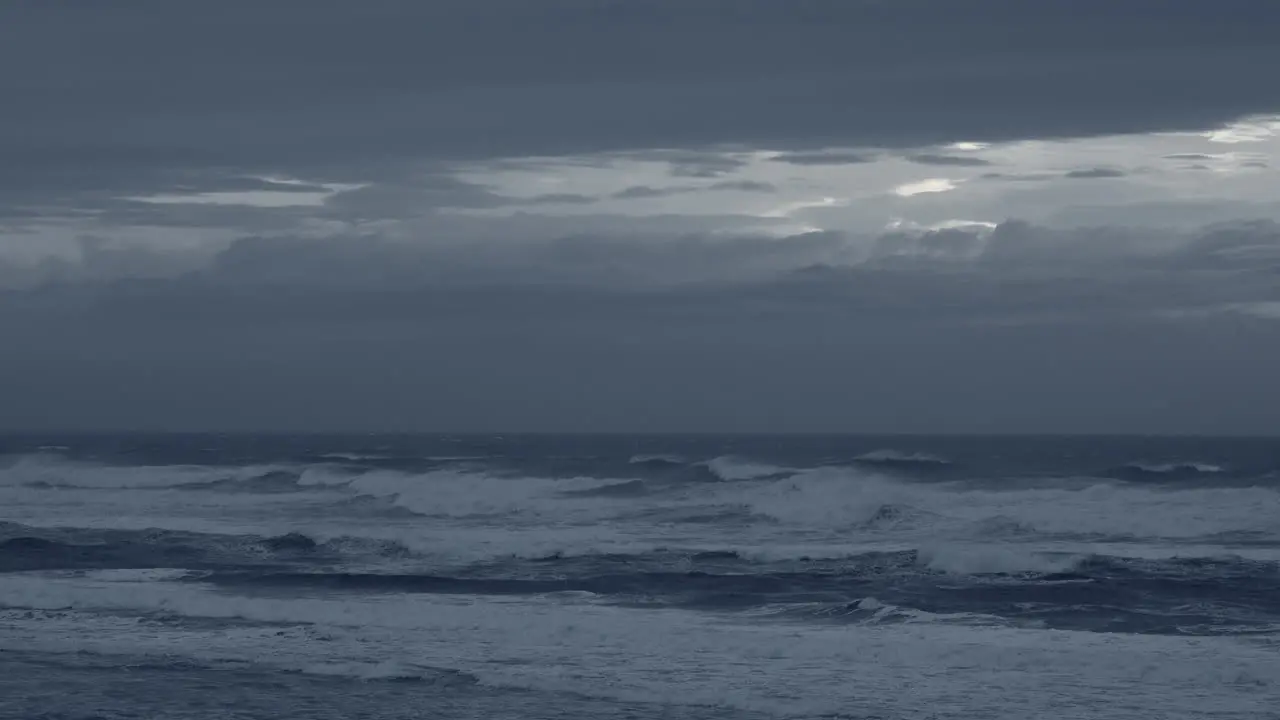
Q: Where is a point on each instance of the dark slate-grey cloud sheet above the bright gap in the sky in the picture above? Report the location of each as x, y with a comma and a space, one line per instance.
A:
337, 84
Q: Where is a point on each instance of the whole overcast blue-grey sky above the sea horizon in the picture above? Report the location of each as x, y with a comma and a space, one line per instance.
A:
641, 216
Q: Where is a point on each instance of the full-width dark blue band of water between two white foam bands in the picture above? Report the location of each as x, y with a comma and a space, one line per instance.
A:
1098, 593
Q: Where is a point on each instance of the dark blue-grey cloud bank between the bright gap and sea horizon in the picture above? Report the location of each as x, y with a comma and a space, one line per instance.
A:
1046, 330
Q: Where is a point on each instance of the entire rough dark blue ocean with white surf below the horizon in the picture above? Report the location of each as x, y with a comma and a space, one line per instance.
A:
680, 577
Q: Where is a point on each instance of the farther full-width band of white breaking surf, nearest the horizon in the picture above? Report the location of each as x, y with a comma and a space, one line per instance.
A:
765, 499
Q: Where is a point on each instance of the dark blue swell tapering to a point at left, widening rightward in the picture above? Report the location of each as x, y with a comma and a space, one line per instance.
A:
1096, 594
